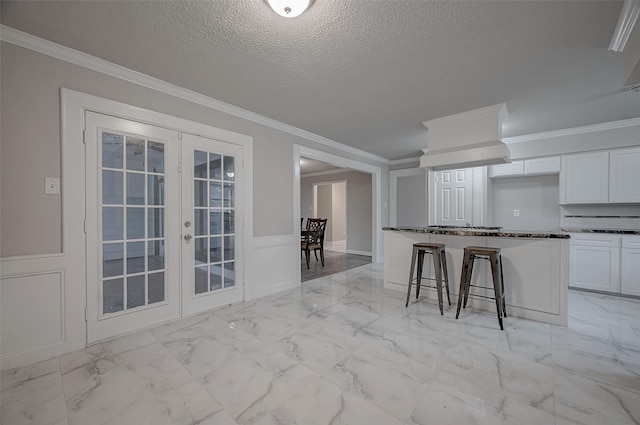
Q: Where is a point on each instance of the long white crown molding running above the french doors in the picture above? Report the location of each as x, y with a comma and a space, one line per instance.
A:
49, 48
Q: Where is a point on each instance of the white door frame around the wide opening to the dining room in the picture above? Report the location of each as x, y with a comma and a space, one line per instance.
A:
376, 193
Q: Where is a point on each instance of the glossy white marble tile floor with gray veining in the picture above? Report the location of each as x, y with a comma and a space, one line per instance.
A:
343, 350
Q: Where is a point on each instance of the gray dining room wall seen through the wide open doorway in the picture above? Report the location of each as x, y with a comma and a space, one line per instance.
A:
359, 201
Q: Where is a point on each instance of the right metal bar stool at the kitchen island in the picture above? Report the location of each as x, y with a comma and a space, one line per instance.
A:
495, 258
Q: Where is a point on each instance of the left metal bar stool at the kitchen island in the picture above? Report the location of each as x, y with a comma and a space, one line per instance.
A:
440, 267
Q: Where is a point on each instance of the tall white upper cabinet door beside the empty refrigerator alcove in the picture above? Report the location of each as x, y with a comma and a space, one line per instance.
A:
586, 178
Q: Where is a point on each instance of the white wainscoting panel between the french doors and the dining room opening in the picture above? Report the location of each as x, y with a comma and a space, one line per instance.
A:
274, 265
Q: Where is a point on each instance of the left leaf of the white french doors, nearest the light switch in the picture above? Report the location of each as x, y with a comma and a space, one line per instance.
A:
132, 194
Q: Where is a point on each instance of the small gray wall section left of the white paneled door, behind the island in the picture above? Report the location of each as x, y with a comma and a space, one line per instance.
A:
411, 209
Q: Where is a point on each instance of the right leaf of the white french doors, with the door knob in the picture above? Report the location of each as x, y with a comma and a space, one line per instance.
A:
212, 223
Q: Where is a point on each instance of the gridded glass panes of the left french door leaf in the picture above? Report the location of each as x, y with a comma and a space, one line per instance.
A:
132, 213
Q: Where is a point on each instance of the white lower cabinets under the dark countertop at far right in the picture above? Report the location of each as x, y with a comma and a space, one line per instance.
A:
605, 262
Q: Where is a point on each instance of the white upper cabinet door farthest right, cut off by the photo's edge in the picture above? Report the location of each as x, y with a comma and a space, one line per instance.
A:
624, 166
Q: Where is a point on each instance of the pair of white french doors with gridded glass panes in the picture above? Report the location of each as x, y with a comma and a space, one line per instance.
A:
152, 205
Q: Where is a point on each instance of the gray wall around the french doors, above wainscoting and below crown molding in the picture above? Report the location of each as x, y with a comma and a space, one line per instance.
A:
30, 221
